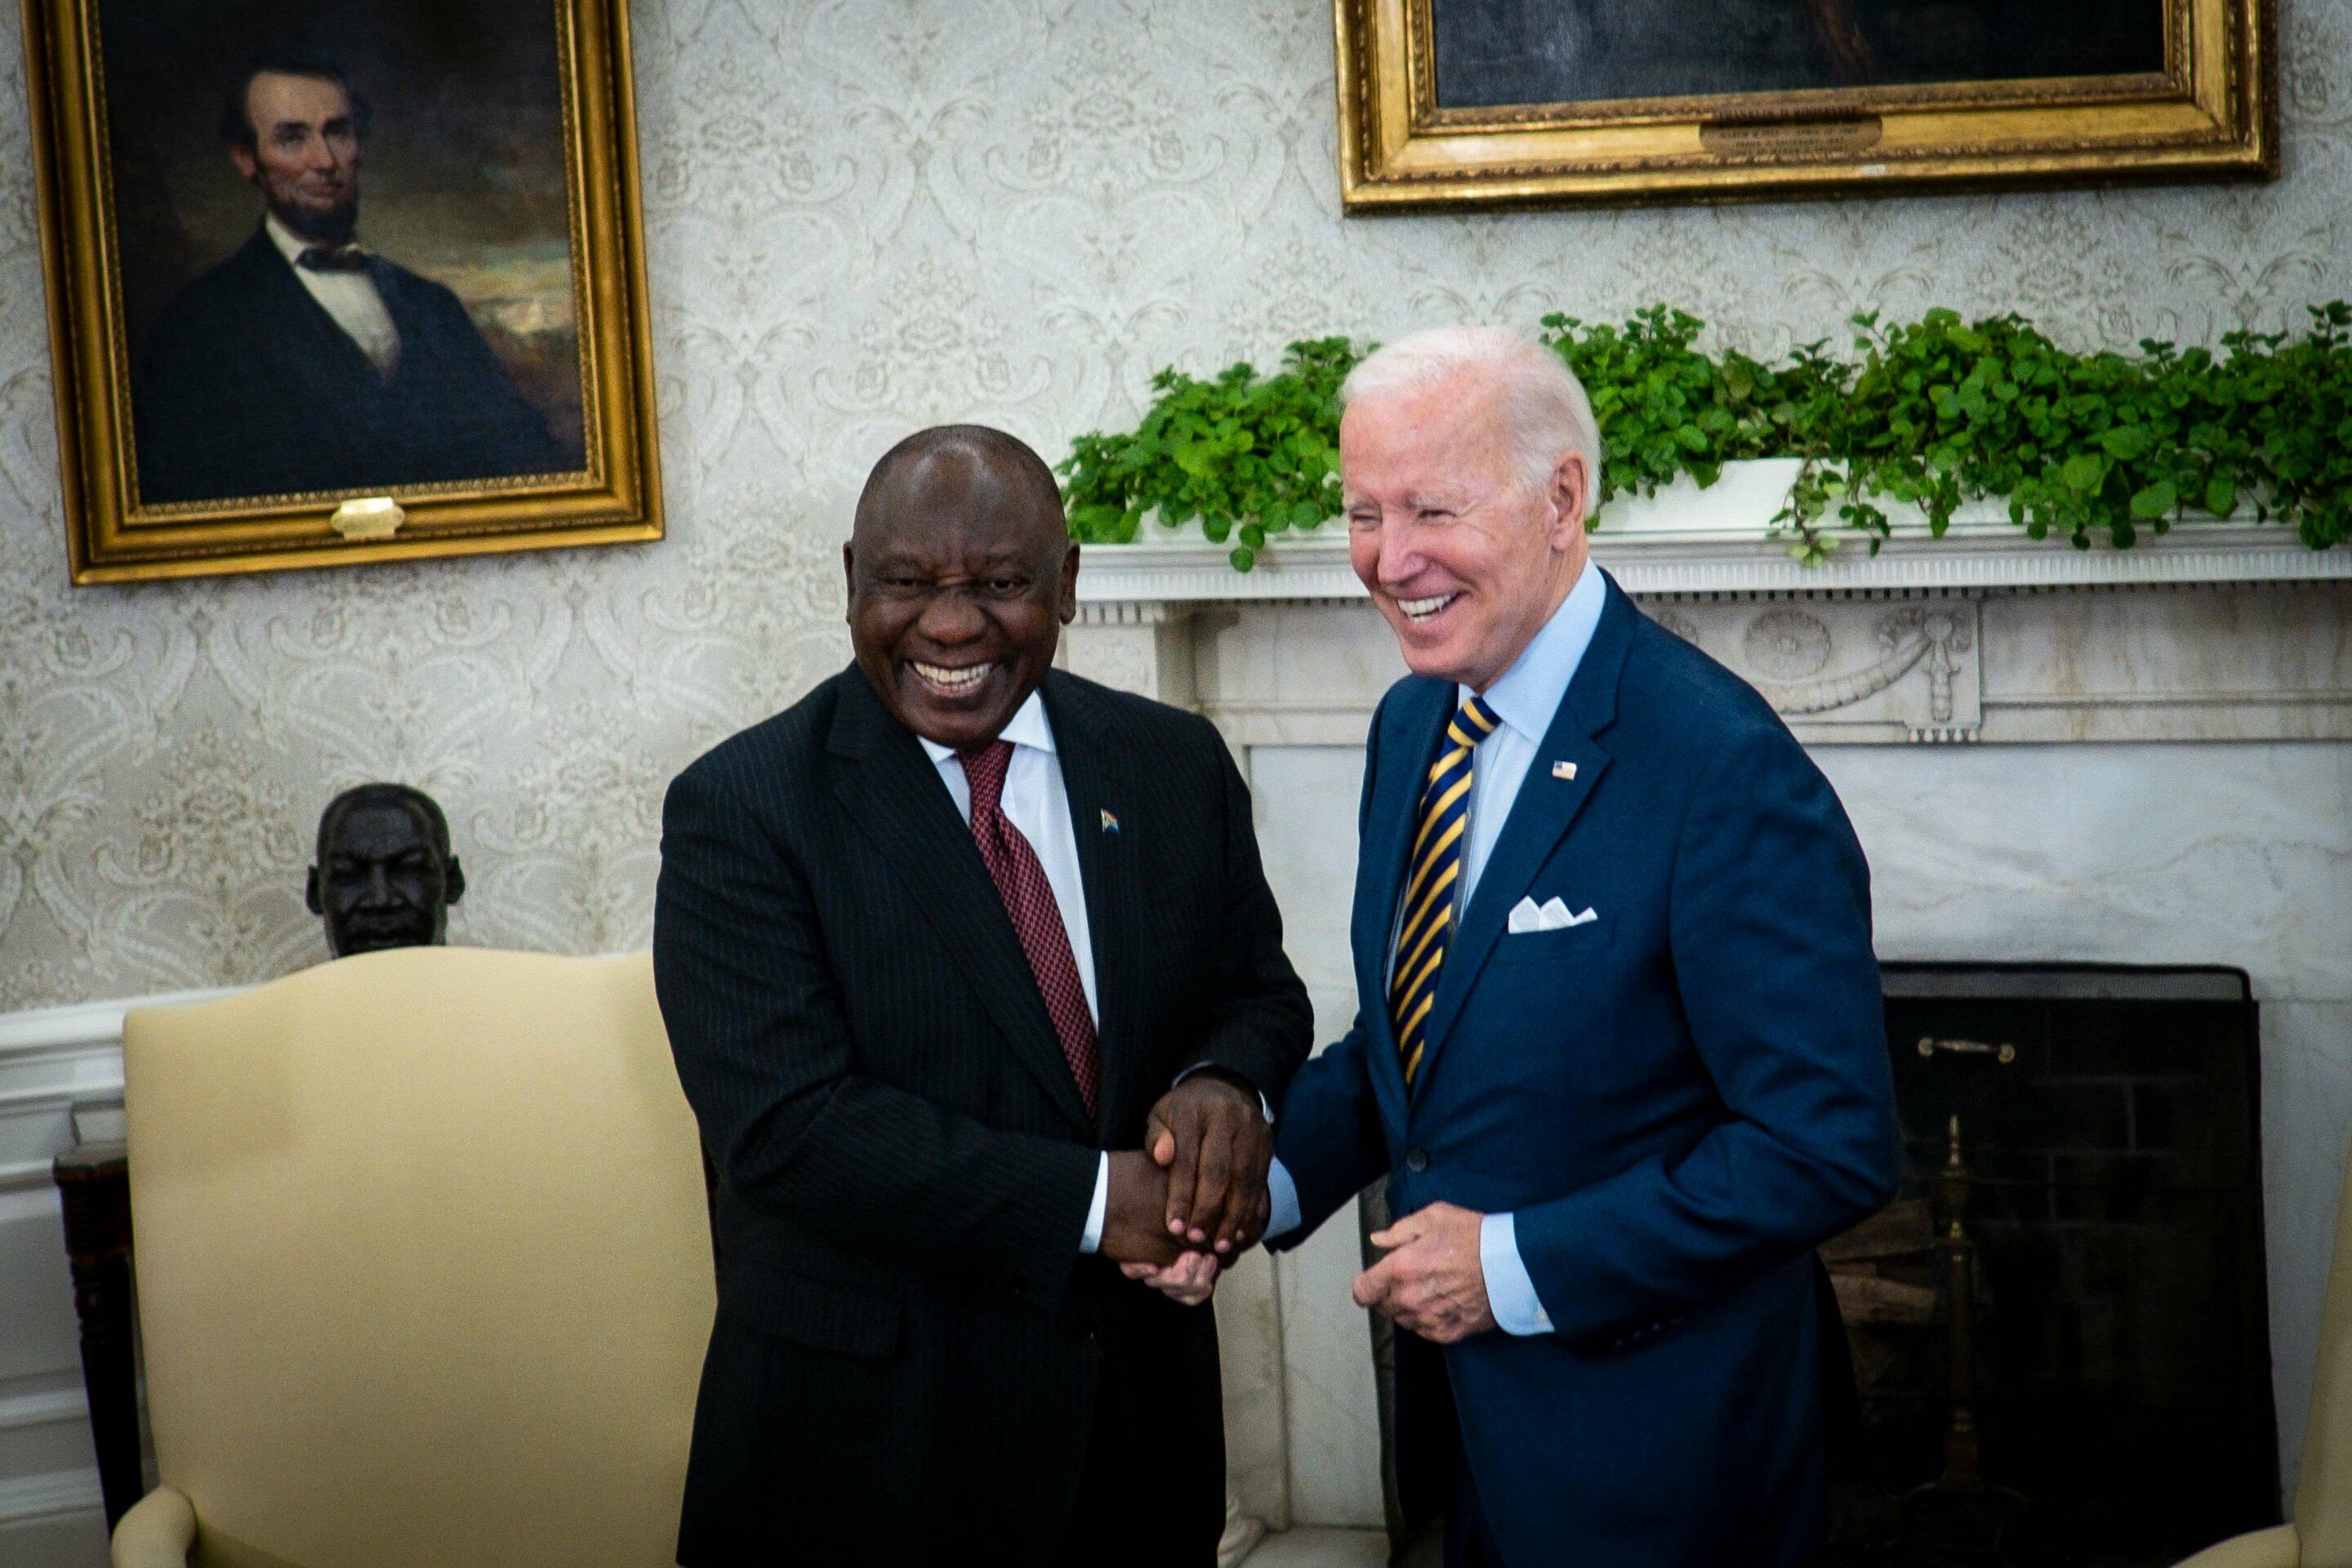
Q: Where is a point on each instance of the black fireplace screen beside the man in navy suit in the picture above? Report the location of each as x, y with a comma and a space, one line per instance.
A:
2062, 1327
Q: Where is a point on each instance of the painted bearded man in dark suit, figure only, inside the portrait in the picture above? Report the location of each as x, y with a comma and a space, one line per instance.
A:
307, 363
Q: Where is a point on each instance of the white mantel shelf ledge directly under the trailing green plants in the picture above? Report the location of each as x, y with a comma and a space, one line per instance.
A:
1709, 542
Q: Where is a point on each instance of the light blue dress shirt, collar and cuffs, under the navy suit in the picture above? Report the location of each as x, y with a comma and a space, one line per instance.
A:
1525, 702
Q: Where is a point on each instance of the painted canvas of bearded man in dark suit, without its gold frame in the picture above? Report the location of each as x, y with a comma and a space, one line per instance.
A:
345, 243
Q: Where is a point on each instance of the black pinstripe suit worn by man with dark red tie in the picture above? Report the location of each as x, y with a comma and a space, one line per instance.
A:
909, 1343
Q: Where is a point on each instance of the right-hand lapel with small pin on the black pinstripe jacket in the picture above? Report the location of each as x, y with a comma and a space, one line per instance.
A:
1095, 777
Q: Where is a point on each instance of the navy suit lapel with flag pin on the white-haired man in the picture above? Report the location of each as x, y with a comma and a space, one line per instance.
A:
1539, 817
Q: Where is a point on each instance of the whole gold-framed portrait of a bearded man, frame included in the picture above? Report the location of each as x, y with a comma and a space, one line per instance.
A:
563, 302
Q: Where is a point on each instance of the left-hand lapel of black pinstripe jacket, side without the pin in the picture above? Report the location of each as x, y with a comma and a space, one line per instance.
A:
893, 791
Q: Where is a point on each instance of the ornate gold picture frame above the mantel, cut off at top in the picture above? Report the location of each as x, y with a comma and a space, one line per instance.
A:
2207, 114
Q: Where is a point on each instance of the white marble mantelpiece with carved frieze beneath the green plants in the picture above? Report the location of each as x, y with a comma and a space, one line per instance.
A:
2212, 634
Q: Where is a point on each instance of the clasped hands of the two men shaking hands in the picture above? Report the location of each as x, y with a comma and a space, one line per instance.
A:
1194, 1198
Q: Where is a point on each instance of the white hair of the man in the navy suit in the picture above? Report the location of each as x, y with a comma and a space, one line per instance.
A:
1542, 398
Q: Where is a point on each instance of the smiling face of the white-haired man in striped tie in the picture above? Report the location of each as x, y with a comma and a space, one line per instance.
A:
1462, 556
